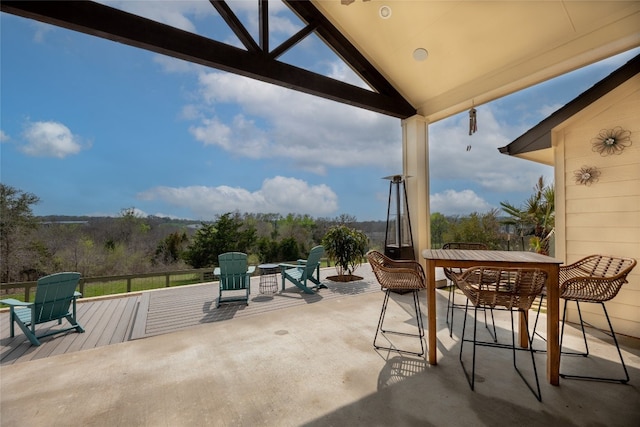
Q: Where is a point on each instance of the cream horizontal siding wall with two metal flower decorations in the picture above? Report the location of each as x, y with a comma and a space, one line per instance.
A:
604, 217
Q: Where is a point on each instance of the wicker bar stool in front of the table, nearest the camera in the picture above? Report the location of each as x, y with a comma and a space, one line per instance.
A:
511, 289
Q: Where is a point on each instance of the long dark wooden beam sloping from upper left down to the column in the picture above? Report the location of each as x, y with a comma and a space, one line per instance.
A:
116, 25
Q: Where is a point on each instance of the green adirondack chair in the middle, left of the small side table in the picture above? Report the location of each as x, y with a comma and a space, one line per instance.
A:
234, 276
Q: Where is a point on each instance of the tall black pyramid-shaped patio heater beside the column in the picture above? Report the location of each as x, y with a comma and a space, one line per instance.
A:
398, 242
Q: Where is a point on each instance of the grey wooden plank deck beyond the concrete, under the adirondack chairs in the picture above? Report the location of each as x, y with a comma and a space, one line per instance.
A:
134, 316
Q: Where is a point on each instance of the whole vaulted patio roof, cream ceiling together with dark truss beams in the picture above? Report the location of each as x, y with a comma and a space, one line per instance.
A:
475, 51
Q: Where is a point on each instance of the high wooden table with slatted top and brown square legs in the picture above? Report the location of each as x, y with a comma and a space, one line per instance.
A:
458, 258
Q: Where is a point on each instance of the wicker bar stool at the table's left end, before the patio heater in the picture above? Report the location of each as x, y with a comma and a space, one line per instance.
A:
398, 275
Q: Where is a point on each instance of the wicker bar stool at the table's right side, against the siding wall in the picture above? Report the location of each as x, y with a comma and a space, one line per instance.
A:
594, 279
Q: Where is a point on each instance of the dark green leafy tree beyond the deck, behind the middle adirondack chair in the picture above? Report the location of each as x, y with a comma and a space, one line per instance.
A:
228, 234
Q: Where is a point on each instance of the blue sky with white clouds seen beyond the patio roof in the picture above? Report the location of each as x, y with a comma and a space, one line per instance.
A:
93, 127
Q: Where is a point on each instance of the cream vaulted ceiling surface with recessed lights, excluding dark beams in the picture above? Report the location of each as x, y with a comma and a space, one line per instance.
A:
481, 50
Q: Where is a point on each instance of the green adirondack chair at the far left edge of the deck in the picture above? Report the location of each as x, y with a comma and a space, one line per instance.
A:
55, 294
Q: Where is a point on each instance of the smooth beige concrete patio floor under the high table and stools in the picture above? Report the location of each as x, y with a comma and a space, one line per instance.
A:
313, 365
